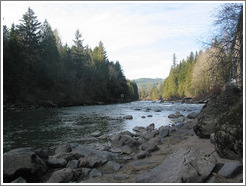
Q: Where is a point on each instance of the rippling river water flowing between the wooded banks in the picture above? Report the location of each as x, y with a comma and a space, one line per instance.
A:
48, 128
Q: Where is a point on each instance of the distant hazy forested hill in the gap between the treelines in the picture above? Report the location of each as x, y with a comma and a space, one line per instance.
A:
145, 83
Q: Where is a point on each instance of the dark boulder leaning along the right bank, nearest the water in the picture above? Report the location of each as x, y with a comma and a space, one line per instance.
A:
214, 110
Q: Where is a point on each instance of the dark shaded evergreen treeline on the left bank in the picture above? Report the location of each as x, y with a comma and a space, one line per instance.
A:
38, 67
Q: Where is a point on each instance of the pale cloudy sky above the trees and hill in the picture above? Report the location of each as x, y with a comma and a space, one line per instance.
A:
142, 36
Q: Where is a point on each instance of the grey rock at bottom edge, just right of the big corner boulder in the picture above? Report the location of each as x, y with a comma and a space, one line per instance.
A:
61, 176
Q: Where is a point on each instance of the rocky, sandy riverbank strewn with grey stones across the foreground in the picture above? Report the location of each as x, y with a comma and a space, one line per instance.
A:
169, 154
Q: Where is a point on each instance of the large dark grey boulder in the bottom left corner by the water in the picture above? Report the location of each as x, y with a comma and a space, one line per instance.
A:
23, 162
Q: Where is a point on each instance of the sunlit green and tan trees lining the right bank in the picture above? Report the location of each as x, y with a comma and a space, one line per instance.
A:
206, 72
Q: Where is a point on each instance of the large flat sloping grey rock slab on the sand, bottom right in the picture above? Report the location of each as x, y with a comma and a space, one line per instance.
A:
187, 166
